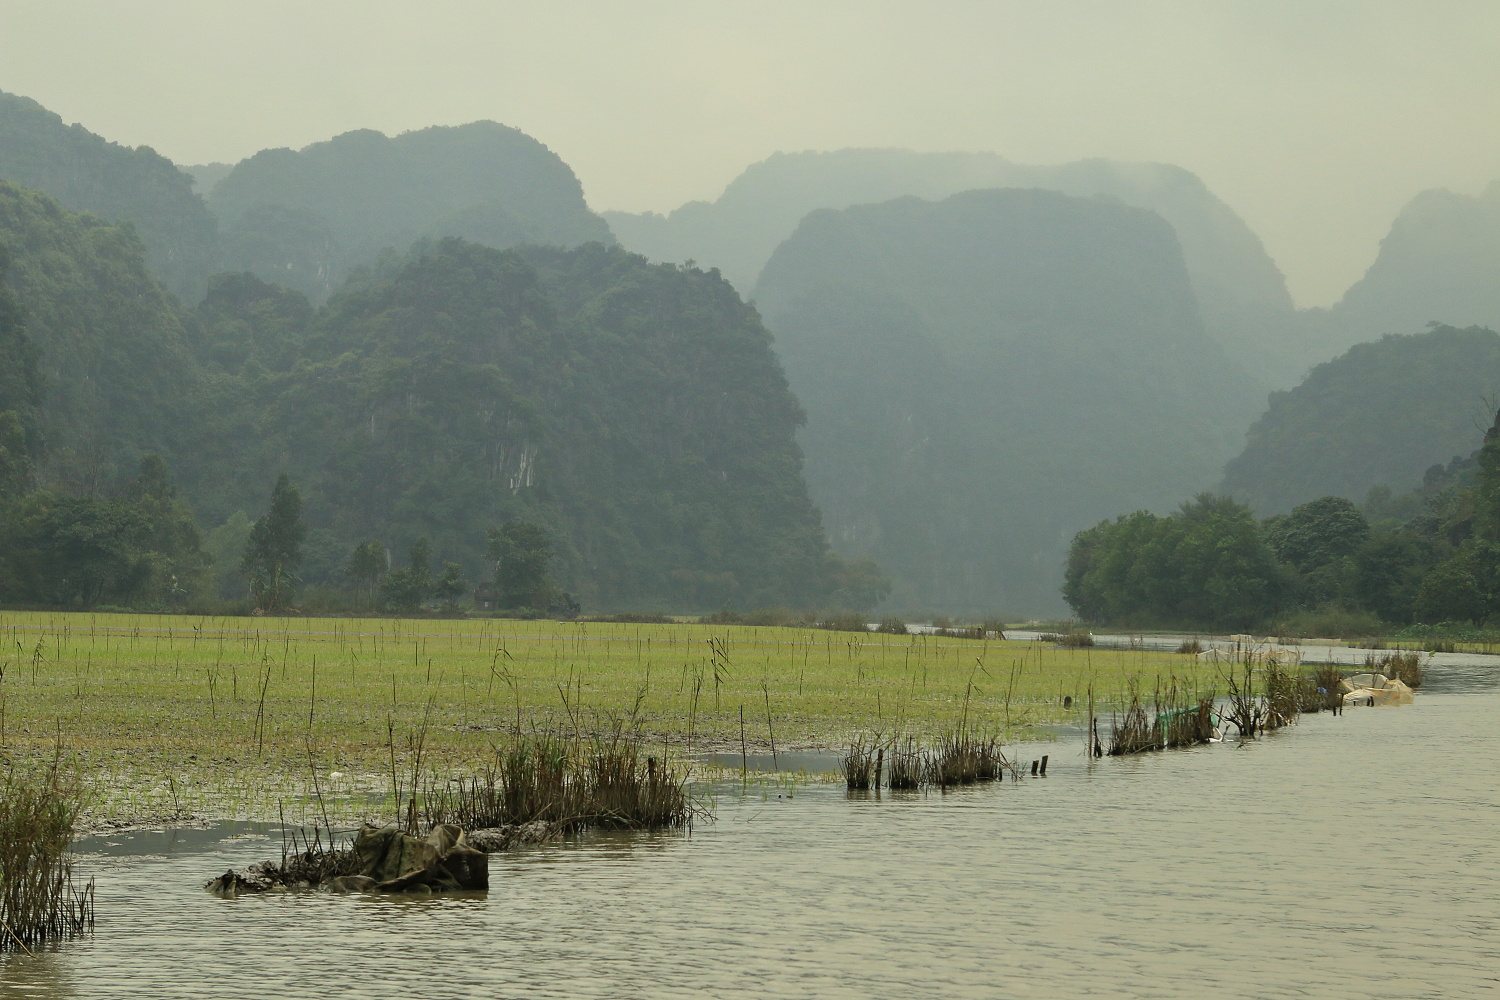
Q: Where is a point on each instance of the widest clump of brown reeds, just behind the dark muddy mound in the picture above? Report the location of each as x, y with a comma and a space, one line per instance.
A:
569, 785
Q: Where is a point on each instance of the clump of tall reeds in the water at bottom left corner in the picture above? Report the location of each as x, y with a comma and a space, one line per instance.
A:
38, 897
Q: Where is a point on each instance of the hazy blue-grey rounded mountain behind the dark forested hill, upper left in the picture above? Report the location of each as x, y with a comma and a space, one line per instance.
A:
307, 218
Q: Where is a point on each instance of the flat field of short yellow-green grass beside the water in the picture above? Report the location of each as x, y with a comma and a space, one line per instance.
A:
229, 717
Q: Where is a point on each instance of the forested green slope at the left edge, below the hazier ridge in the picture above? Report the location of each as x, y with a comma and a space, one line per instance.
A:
118, 374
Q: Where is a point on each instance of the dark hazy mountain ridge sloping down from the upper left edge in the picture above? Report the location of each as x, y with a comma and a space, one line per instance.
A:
118, 184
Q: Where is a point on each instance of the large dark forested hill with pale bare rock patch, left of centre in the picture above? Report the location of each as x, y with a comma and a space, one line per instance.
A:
637, 410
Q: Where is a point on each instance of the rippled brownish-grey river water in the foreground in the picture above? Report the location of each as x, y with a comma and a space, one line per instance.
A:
1349, 857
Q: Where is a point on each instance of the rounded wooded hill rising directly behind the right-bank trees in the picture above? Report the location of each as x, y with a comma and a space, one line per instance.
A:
1381, 415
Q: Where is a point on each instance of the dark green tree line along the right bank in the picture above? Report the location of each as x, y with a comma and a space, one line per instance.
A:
1427, 558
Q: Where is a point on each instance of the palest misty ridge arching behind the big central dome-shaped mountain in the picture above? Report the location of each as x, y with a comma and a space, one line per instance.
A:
1243, 298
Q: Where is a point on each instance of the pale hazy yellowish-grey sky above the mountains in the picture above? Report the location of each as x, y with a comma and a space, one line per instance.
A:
1315, 121
